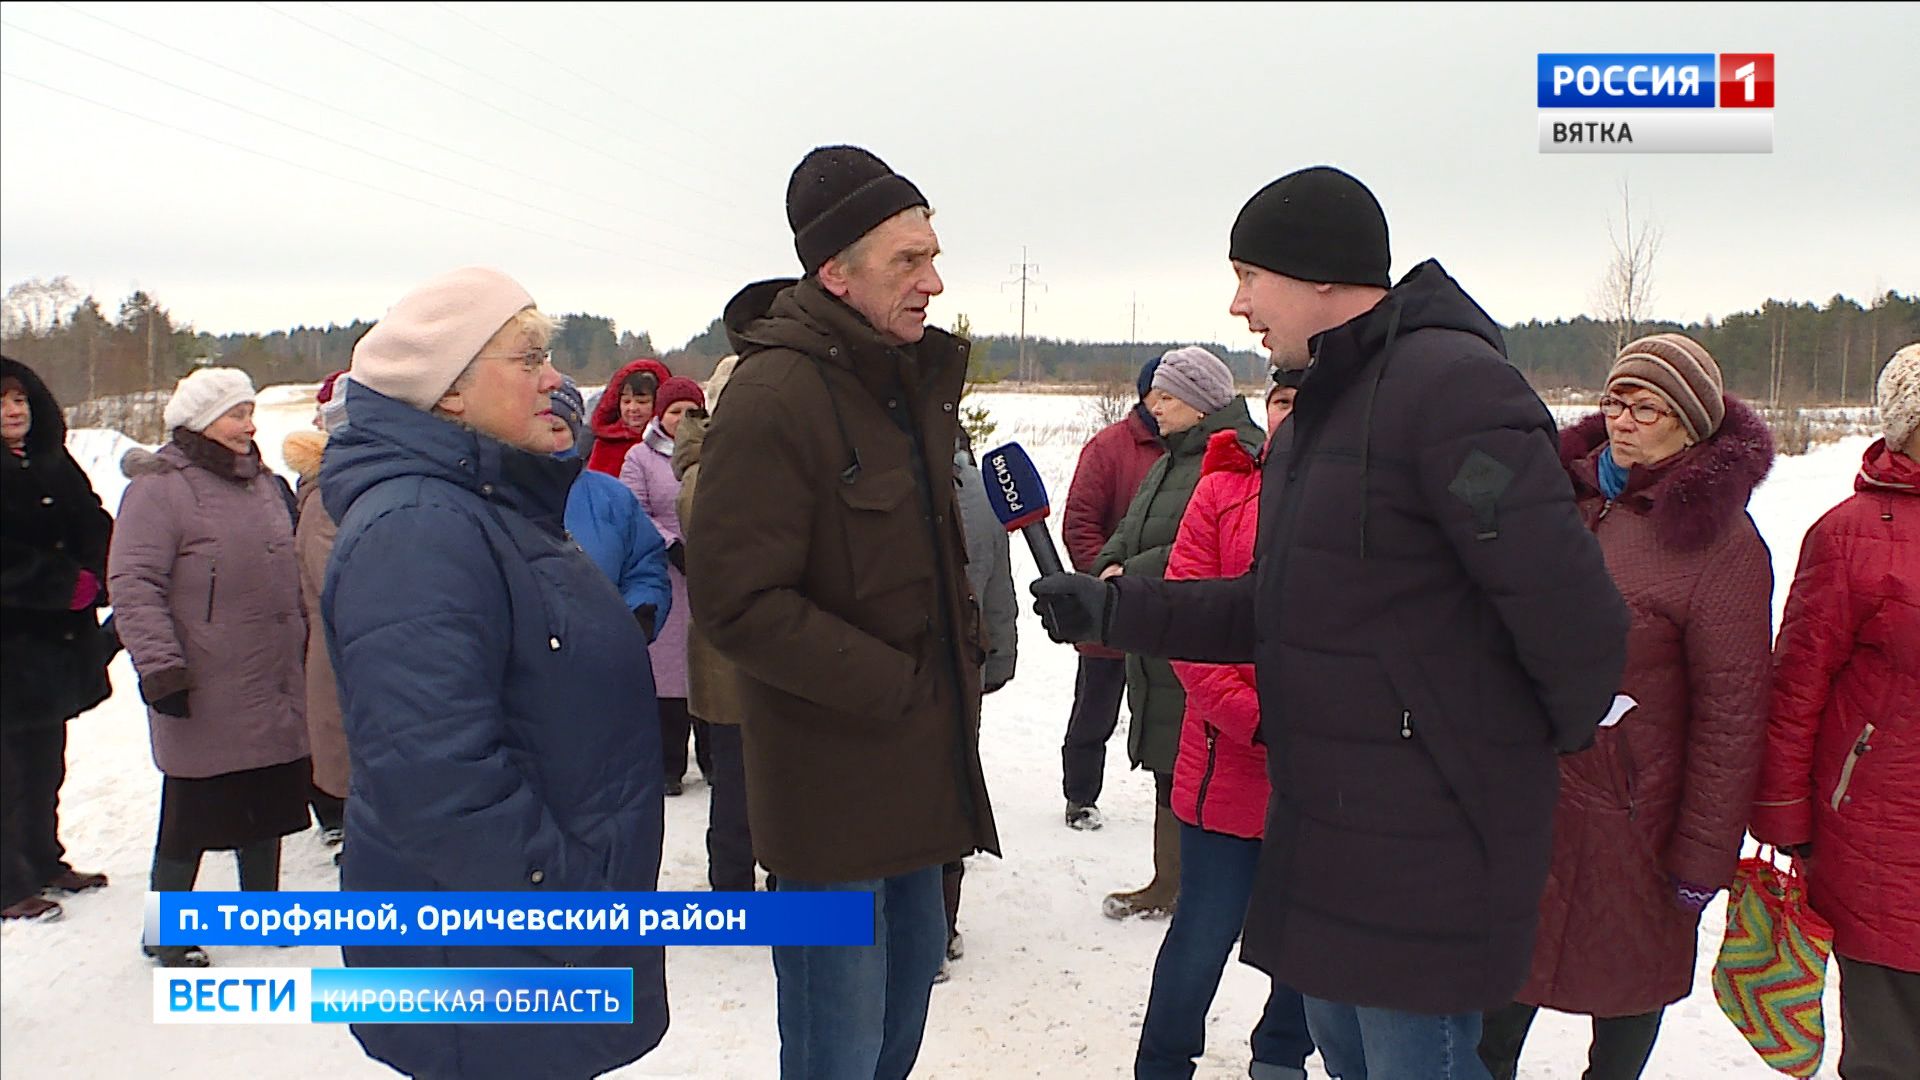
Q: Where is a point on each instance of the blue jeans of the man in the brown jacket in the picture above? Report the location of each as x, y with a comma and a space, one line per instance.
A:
859, 1012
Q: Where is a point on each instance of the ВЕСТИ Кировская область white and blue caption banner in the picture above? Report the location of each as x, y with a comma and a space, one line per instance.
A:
395, 996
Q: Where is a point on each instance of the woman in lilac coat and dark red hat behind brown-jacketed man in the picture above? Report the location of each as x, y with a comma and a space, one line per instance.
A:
650, 474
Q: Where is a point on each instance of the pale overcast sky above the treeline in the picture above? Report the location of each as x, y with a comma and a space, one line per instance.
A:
299, 162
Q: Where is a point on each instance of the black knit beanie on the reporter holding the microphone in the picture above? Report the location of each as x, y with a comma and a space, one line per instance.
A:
1316, 226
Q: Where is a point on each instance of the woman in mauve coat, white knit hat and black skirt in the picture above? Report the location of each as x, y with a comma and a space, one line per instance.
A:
206, 599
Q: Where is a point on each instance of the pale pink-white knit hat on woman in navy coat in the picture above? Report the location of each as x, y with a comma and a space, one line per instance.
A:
433, 333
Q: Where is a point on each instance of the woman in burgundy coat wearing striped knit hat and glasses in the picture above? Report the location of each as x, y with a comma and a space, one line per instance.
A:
1652, 818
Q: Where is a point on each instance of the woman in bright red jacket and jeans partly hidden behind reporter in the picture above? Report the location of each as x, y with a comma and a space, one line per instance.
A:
1220, 793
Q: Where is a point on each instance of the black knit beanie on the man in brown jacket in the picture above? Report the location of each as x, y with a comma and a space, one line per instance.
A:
840, 195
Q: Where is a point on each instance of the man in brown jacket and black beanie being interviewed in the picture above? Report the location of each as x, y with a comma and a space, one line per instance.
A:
830, 568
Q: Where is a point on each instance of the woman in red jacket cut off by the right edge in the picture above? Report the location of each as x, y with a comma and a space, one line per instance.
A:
1842, 770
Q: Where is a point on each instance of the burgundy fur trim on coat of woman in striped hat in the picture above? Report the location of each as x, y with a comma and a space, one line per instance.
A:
1696, 495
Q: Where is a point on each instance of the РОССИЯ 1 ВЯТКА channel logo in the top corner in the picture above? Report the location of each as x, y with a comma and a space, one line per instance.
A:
1656, 103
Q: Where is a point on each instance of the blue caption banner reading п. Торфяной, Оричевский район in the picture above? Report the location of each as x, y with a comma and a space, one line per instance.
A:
548, 920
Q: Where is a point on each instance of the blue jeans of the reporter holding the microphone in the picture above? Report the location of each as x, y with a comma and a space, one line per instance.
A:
1383, 1044
